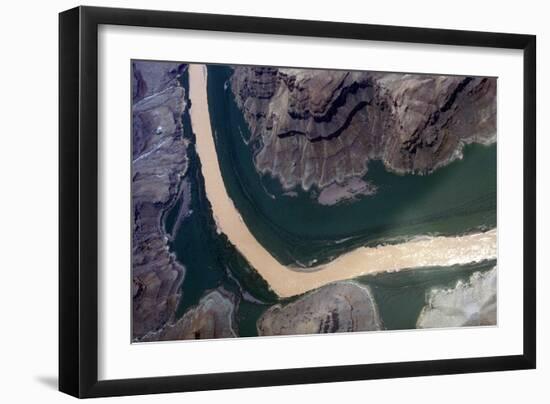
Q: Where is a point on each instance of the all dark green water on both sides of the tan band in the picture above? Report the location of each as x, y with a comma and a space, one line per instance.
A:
454, 200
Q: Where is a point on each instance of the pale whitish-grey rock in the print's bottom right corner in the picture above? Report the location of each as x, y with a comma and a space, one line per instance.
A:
471, 303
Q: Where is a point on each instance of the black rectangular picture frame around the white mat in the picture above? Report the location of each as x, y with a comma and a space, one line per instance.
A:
78, 200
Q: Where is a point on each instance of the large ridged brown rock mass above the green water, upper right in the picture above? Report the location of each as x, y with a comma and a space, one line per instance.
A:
315, 128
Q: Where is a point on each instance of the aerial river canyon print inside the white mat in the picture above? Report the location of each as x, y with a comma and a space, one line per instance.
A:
270, 201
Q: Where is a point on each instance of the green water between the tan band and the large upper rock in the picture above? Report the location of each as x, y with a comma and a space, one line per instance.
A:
456, 199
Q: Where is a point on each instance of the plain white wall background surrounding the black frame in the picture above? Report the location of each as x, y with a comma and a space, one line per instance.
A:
28, 214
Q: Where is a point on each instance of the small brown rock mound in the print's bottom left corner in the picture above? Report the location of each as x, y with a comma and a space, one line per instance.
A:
213, 317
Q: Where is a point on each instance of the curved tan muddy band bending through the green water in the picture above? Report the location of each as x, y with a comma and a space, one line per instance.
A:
434, 251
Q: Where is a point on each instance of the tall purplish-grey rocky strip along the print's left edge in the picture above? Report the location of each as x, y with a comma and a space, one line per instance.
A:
159, 161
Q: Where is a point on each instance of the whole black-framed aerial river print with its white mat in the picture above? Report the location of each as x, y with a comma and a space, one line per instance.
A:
251, 201
